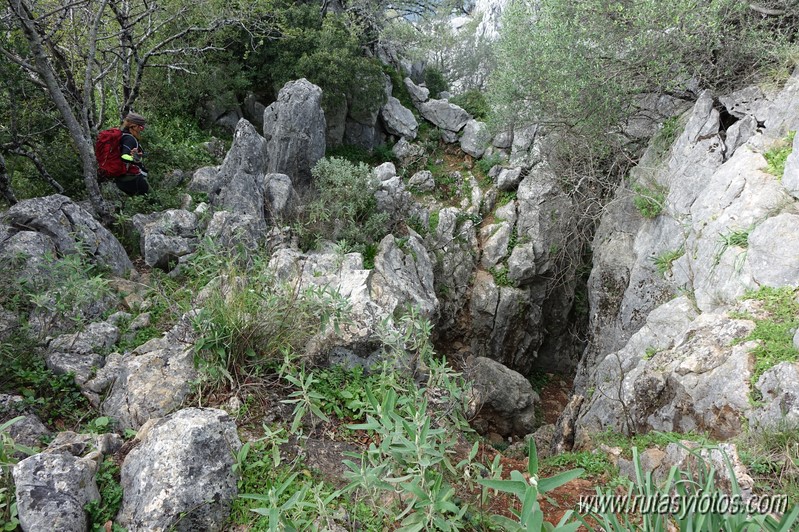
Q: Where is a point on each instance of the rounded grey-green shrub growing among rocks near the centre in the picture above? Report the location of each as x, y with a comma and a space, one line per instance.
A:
345, 207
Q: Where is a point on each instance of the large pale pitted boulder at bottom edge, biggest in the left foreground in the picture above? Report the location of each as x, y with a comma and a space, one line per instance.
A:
180, 475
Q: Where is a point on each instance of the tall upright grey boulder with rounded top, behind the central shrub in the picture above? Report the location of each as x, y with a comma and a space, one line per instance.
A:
294, 129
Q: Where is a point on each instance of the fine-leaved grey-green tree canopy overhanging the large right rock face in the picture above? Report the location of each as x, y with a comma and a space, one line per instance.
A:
585, 63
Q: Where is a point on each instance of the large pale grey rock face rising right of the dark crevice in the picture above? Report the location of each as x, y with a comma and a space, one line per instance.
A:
682, 364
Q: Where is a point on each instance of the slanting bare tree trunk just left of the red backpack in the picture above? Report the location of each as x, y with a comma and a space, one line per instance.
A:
81, 138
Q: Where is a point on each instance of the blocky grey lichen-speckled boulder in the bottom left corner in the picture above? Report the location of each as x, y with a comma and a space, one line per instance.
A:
52, 490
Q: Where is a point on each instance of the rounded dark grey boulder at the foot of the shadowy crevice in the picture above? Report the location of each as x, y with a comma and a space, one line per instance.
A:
502, 400
